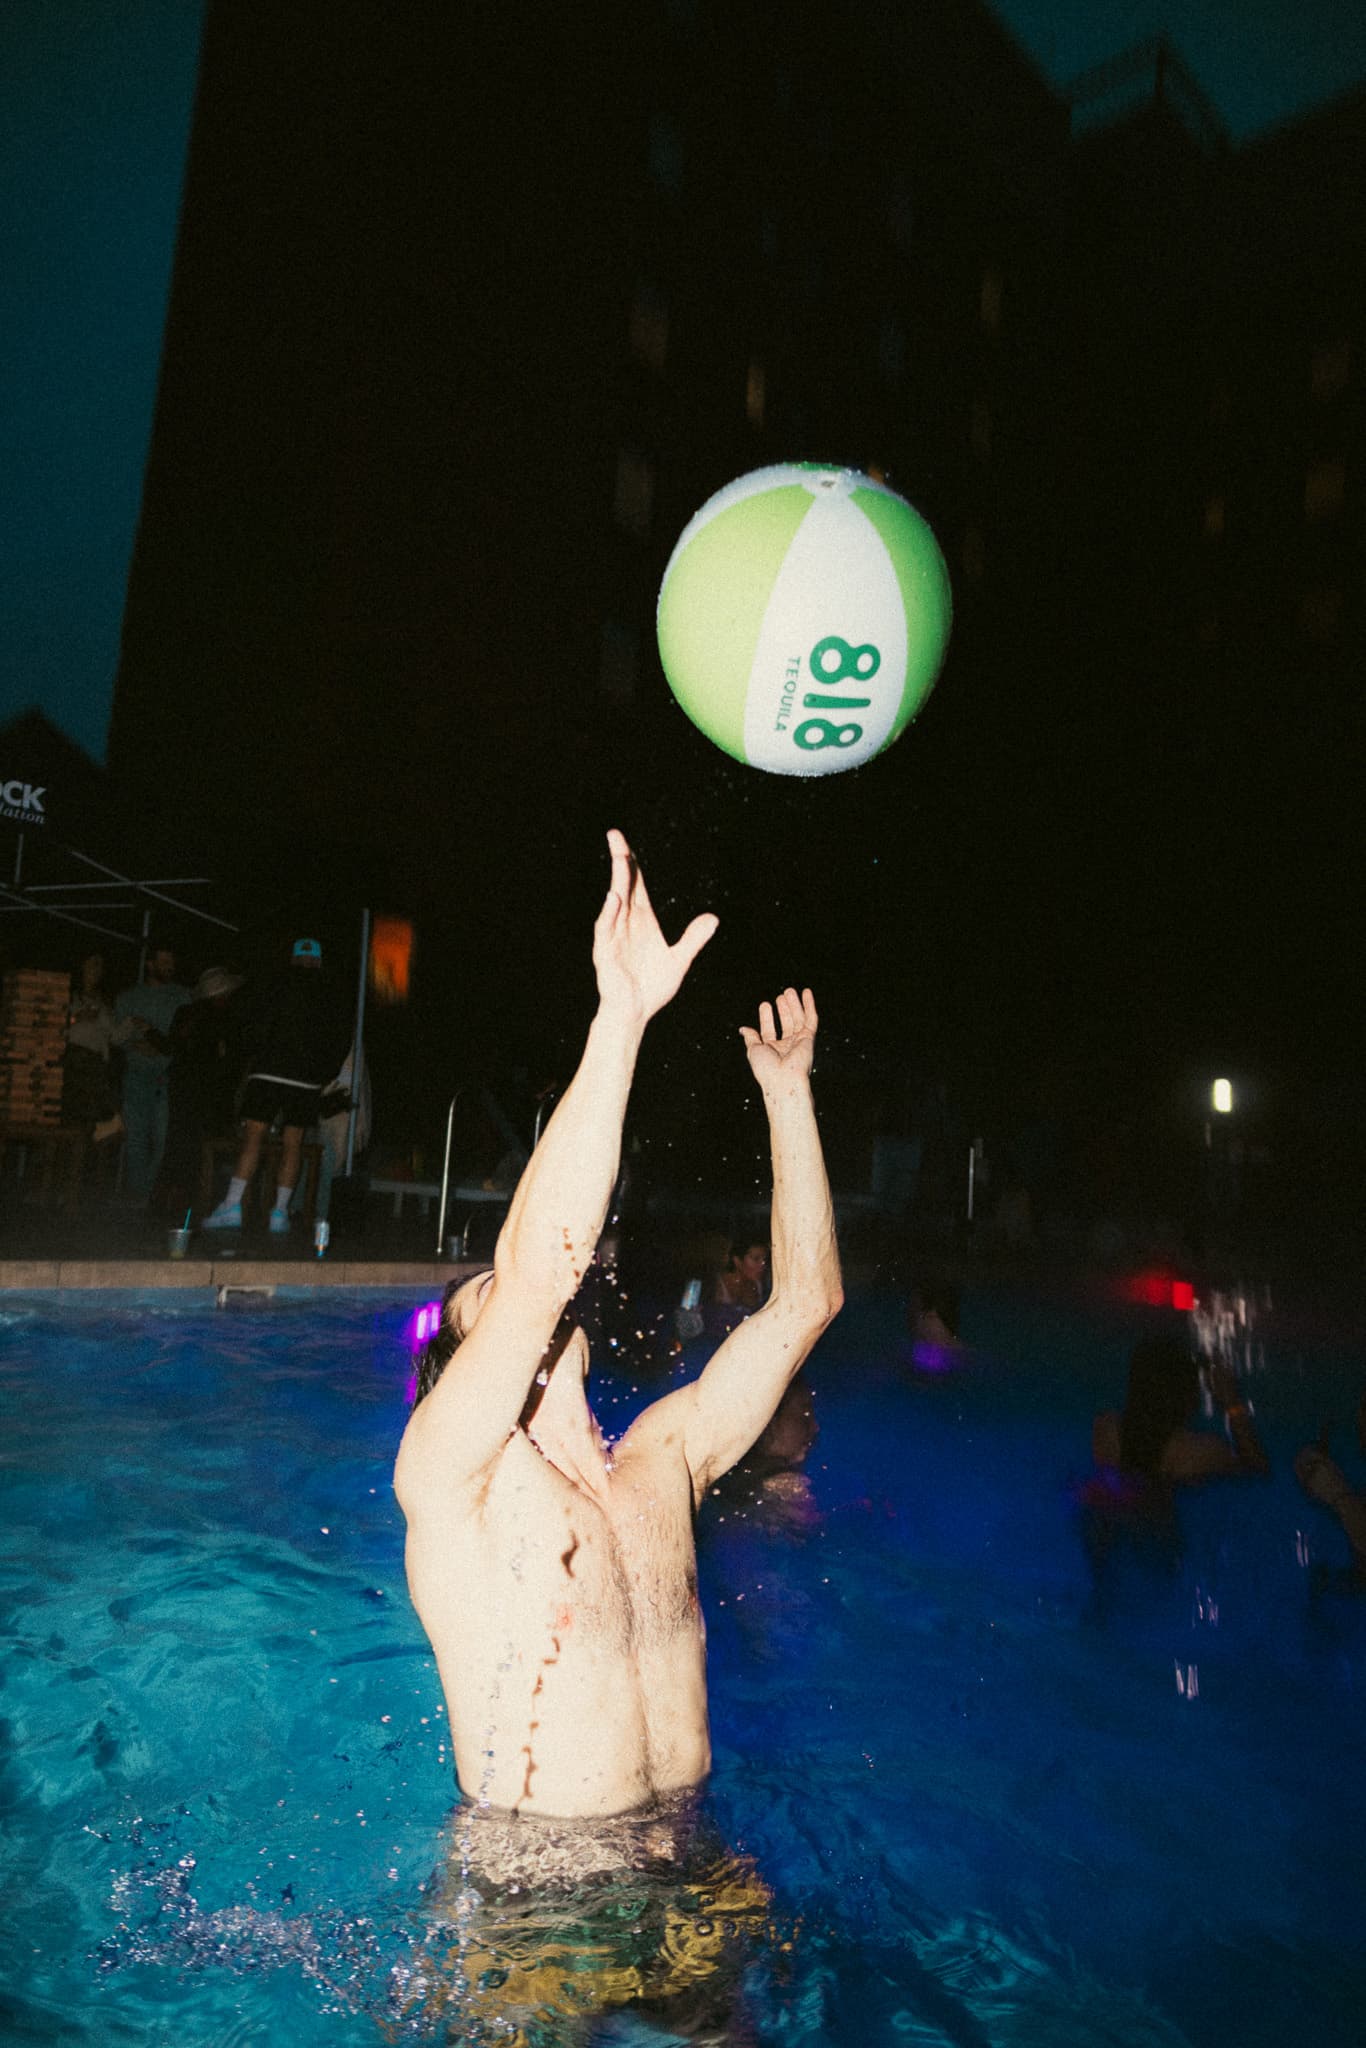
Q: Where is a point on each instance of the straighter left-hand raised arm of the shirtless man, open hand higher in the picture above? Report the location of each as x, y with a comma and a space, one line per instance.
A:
560, 1205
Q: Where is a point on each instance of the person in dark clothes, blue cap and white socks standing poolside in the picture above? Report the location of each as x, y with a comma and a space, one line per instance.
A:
302, 1039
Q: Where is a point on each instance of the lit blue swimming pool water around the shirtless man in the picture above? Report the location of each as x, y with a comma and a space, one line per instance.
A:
990, 1807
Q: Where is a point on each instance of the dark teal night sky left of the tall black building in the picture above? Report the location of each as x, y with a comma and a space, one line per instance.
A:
95, 116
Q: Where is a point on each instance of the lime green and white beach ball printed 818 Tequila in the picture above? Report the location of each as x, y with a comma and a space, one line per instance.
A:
804, 617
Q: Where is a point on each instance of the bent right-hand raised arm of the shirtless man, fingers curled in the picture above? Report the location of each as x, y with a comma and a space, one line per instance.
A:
736, 1398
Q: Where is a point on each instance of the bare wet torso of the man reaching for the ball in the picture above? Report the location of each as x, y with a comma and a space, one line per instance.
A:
566, 1629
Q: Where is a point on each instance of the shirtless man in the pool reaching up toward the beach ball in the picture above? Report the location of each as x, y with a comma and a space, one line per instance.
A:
554, 1576
